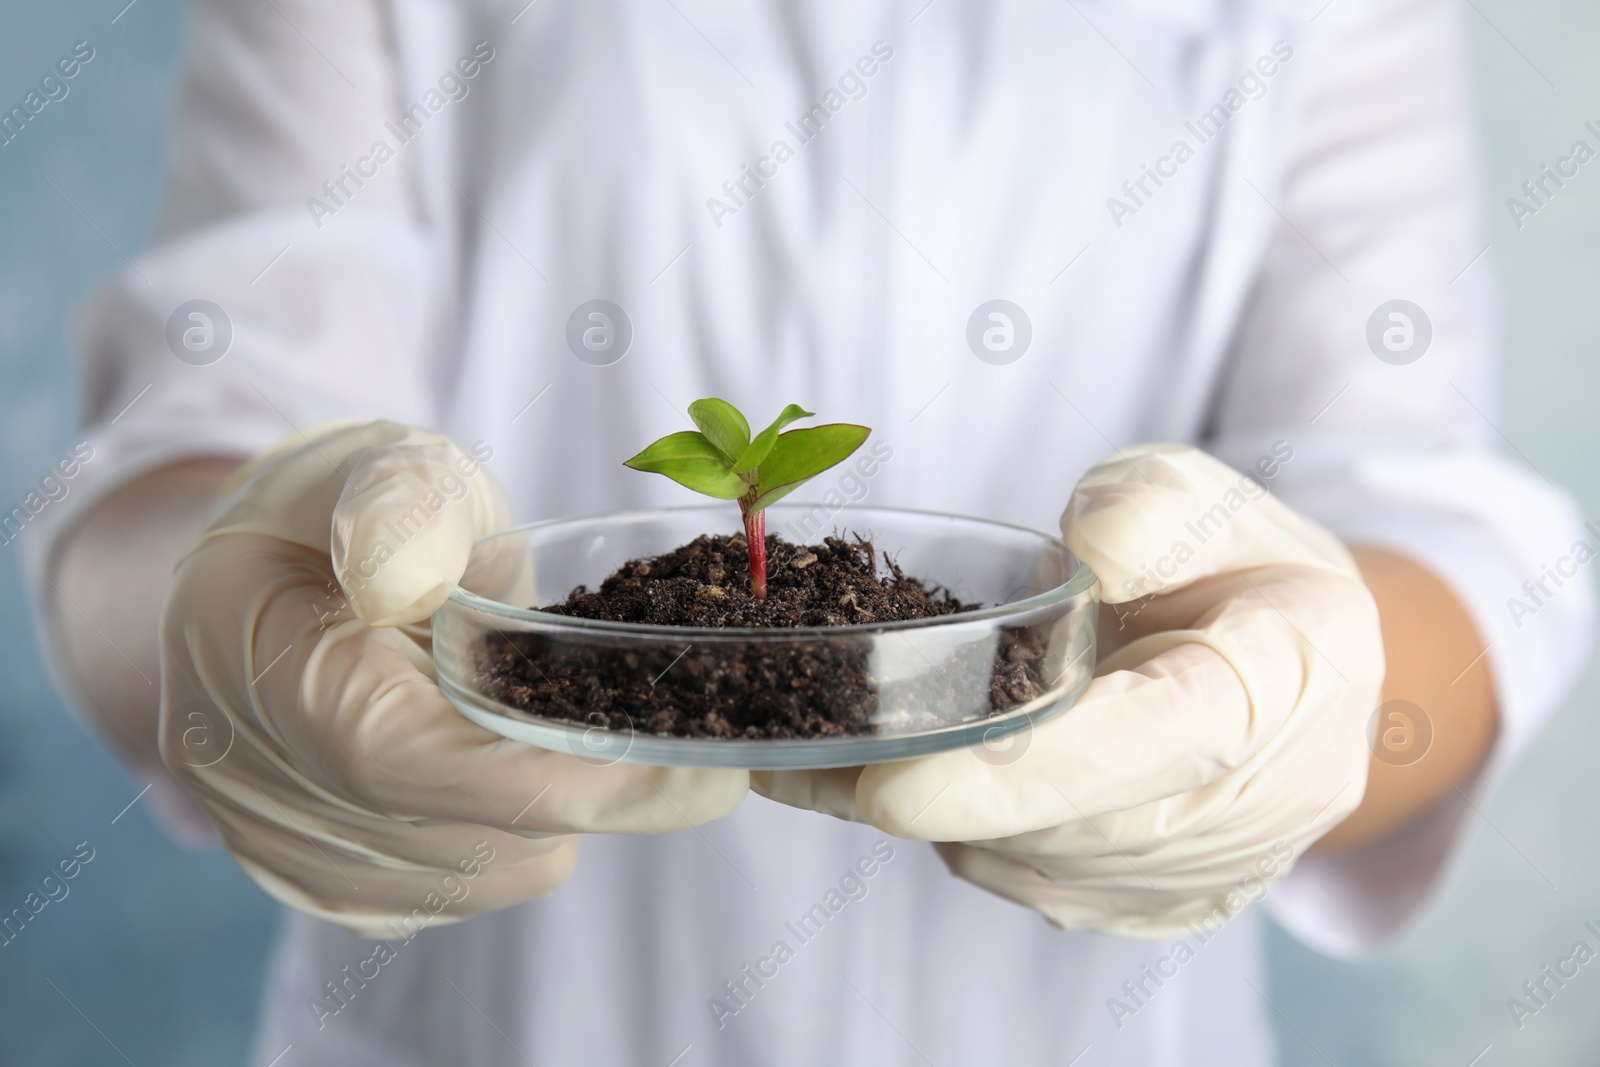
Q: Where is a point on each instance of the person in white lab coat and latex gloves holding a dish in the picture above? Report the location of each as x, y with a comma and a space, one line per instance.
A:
1202, 215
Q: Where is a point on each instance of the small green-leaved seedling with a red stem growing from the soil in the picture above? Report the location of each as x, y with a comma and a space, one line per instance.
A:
724, 462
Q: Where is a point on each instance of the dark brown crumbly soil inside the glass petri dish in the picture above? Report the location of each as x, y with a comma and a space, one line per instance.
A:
774, 690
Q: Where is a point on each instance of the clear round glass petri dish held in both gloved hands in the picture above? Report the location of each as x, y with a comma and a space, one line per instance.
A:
970, 679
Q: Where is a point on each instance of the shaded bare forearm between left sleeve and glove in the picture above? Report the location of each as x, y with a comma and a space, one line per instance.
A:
110, 585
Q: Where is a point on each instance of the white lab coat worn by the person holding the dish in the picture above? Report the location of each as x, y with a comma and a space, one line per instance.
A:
1225, 302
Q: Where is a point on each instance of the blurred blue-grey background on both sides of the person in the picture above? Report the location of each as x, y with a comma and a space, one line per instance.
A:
156, 956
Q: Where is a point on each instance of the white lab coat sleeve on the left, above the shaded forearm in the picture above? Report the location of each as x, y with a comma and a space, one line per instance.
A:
326, 314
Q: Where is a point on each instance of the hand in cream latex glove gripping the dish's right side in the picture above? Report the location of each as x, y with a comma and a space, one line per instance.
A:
1223, 737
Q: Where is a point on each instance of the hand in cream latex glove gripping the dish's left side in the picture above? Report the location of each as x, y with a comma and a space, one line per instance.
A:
311, 729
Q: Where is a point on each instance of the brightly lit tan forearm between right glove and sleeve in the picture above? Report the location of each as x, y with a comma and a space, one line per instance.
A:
1434, 661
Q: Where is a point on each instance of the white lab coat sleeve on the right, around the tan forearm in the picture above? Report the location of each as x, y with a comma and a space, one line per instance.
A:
1378, 199
